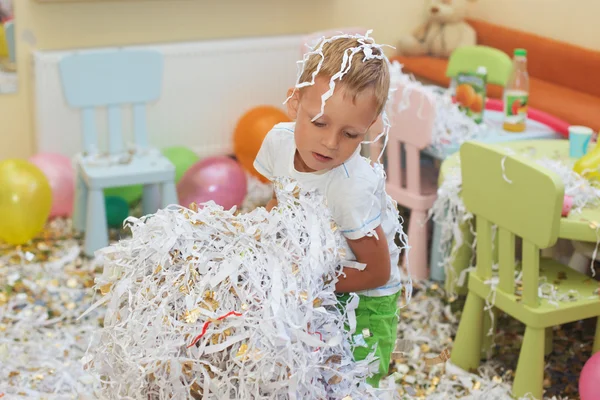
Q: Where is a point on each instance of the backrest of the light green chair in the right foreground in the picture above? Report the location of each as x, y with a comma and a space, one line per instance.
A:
522, 199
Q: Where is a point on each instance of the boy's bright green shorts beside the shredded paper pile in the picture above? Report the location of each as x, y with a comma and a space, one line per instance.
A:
379, 315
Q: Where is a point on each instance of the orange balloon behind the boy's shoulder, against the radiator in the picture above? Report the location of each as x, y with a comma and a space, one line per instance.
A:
250, 132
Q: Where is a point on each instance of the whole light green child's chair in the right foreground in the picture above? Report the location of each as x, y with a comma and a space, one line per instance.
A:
524, 200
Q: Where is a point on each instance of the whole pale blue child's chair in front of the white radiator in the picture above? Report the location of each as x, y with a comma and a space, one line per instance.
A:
114, 79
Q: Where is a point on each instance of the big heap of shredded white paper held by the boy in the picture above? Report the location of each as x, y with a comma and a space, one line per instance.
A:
215, 305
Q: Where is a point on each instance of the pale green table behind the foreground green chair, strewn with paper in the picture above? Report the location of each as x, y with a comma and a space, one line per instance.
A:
576, 226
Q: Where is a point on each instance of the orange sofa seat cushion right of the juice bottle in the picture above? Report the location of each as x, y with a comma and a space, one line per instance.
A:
575, 107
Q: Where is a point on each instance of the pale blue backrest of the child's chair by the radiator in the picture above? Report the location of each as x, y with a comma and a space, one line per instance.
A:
112, 79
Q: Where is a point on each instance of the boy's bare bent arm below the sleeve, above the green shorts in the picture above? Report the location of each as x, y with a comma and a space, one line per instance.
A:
375, 253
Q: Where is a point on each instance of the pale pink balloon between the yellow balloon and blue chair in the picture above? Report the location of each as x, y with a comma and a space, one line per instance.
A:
59, 171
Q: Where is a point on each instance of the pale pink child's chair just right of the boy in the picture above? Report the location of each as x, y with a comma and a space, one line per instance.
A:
409, 183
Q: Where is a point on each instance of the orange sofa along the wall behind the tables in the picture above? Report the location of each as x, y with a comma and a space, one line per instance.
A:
564, 78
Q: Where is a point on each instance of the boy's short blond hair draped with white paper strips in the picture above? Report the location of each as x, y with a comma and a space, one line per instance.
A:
364, 73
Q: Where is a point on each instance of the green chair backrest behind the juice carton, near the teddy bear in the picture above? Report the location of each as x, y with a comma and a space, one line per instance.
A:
469, 58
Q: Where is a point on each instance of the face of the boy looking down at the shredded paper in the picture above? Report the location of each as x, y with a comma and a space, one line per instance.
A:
332, 138
